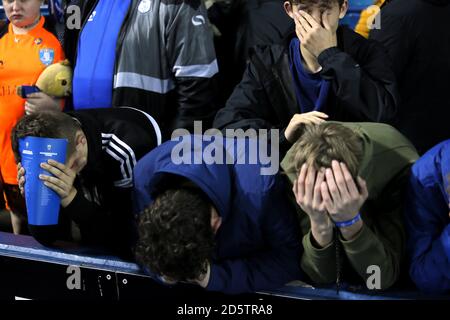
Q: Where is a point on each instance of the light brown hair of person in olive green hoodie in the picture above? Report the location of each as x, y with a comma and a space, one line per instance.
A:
320, 144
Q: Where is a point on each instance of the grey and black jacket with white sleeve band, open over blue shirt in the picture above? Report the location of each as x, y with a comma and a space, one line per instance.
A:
192, 97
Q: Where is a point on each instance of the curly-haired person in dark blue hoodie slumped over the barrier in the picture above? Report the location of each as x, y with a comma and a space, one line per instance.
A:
225, 227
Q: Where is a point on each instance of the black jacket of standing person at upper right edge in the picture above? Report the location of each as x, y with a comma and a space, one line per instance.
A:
416, 34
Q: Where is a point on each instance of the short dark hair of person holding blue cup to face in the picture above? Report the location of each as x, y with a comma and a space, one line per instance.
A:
46, 124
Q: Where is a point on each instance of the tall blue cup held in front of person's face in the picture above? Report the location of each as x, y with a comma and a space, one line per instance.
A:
42, 203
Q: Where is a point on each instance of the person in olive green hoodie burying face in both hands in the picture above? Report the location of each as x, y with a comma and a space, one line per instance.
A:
348, 180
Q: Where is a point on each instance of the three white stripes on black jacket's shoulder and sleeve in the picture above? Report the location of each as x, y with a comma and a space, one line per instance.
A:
121, 152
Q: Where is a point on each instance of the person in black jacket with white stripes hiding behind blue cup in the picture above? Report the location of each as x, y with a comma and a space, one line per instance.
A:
95, 184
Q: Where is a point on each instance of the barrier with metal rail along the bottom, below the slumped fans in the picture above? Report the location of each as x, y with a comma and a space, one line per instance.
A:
30, 270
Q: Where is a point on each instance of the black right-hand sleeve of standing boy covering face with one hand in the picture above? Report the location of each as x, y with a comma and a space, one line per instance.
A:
366, 89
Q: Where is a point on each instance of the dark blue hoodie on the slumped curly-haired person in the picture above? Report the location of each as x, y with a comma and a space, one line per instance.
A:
258, 246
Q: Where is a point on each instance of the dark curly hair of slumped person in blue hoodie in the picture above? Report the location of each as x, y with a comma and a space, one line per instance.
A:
175, 234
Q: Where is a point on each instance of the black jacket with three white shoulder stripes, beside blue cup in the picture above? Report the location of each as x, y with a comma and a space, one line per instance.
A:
117, 138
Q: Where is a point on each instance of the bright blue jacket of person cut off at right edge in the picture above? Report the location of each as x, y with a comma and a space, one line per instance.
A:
428, 220
